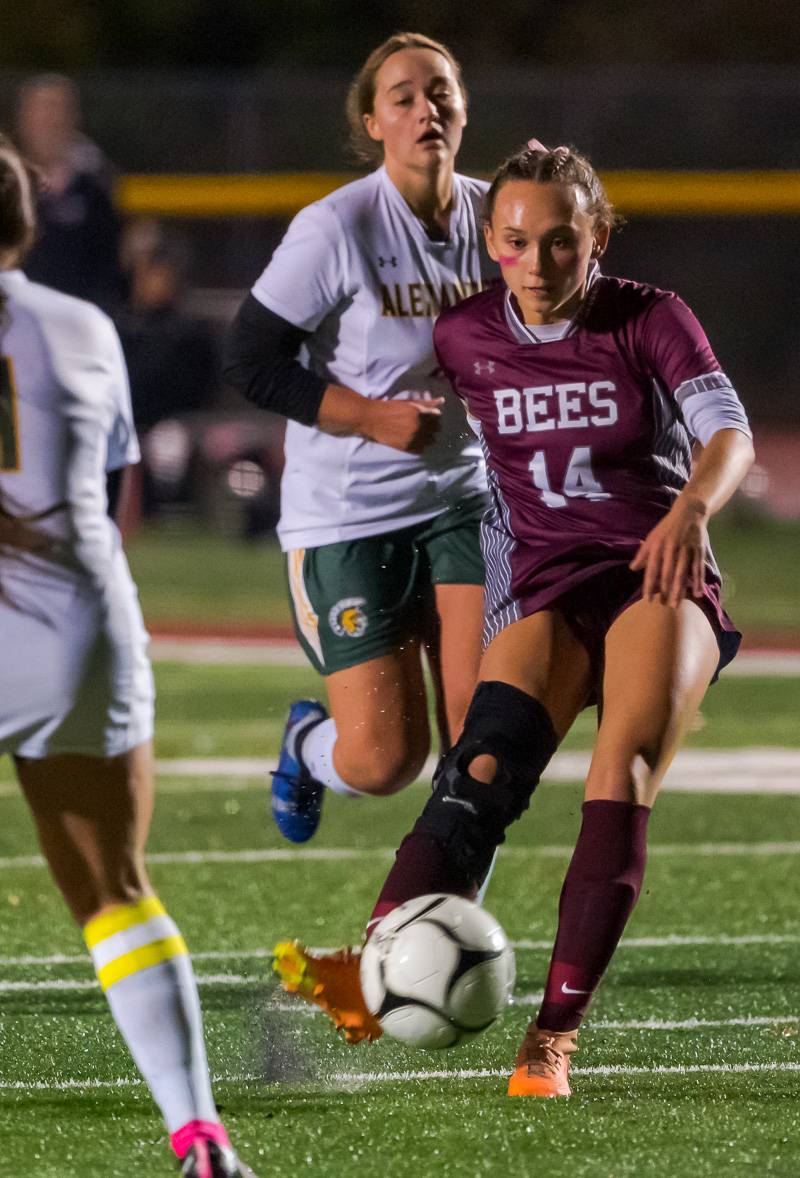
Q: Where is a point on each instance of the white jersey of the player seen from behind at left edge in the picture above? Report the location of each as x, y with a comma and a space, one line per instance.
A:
65, 420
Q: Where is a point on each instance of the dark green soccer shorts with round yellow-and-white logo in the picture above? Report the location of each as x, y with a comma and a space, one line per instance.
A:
361, 599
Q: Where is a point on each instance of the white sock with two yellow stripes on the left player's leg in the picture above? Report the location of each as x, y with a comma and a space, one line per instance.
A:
143, 965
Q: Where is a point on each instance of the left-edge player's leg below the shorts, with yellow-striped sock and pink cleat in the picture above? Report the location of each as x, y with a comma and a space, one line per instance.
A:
92, 817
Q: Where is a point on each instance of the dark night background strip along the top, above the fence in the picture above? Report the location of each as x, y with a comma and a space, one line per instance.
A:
87, 35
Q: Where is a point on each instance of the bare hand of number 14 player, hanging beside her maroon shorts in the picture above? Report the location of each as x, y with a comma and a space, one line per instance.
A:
673, 555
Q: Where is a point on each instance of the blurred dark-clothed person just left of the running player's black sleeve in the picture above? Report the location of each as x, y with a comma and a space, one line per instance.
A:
171, 356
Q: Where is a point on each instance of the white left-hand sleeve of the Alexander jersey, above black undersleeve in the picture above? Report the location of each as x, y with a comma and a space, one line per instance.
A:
308, 274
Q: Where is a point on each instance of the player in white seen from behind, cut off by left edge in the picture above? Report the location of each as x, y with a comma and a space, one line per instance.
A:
76, 683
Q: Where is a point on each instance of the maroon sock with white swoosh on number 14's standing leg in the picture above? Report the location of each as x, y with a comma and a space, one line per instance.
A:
600, 891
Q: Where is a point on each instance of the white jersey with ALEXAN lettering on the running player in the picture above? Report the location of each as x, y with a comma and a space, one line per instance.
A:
359, 270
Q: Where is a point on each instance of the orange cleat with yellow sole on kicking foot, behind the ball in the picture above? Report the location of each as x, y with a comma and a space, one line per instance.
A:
332, 982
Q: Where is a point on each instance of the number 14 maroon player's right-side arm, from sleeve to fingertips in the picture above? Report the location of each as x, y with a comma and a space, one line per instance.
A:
673, 555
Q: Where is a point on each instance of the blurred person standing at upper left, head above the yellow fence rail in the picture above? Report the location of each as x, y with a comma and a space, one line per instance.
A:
77, 246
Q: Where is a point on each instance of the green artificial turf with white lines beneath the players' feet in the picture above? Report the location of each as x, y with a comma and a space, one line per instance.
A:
299, 1101
